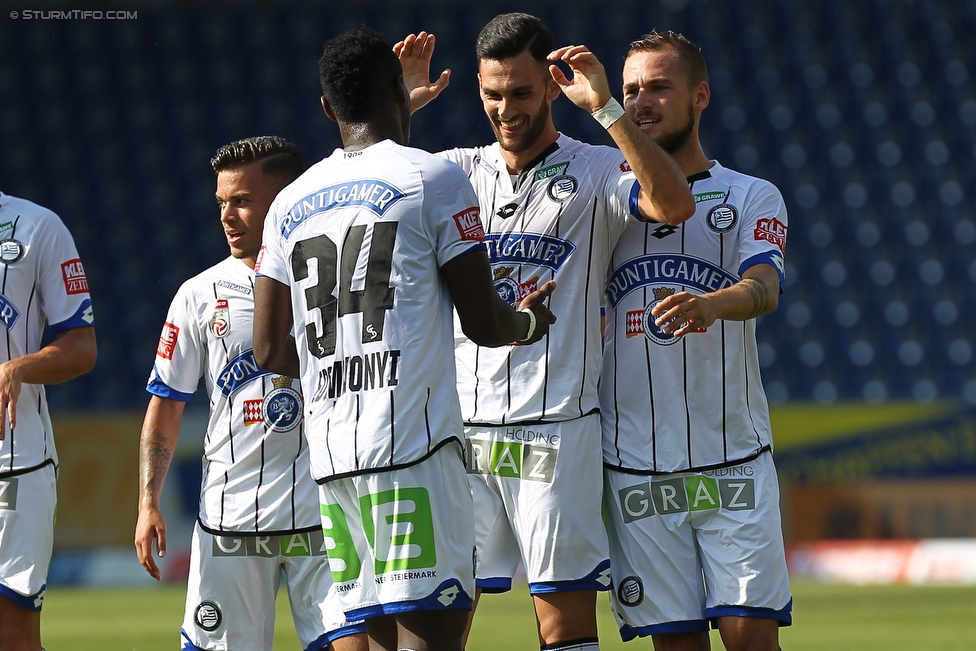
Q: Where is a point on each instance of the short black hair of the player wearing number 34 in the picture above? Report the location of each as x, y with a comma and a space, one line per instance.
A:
357, 70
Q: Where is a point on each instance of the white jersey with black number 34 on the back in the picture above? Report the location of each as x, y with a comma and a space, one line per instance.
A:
360, 239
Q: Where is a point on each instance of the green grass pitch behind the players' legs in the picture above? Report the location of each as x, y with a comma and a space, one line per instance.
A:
835, 617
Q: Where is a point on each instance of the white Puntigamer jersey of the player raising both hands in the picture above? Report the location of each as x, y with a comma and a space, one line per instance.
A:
559, 220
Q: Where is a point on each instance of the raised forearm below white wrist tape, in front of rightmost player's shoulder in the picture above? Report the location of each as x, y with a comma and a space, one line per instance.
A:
664, 194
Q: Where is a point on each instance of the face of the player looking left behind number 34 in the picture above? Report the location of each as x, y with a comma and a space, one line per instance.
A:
244, 195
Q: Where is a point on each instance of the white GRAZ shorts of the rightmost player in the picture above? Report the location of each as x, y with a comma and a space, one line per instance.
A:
688, 548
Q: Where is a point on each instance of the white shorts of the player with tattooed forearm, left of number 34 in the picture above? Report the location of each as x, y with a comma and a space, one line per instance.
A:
230, 596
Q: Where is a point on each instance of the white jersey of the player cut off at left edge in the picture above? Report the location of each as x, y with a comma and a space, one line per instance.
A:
42, 281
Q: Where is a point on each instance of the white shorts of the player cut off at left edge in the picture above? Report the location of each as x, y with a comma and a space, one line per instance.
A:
28, 504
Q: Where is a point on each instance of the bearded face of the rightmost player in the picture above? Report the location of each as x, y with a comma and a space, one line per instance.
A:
660, 99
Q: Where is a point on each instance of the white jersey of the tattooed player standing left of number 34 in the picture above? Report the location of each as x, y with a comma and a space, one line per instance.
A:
256, 469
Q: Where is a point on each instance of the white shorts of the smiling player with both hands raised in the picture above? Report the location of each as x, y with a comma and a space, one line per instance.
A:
537, 491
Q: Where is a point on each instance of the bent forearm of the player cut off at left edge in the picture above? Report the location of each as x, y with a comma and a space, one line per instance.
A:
72, 354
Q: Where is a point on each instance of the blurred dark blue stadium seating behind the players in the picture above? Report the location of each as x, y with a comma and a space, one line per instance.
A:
870, 134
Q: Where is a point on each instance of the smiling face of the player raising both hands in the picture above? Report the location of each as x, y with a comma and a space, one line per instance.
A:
517, 93
